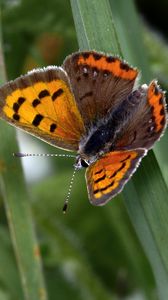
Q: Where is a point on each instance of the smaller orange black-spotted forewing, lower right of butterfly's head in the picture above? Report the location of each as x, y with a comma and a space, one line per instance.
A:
108, 175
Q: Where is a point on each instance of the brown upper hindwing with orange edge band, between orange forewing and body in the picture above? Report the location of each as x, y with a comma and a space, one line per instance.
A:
99, 82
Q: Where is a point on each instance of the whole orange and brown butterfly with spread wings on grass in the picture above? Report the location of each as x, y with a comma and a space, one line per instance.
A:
90, 105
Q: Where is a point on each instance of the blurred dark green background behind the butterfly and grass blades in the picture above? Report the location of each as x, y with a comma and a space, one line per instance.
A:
91, 252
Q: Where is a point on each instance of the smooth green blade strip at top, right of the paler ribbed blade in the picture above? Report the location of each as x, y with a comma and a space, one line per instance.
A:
130, 35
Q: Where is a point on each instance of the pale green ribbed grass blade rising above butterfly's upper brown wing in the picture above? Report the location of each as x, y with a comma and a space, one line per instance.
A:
95, 31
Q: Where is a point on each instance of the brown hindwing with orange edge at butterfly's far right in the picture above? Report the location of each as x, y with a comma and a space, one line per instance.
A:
148, 118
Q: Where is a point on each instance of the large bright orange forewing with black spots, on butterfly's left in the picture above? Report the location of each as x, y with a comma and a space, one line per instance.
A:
42, 103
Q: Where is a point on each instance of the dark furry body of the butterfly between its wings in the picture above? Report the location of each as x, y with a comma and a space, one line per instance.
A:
104, 135
